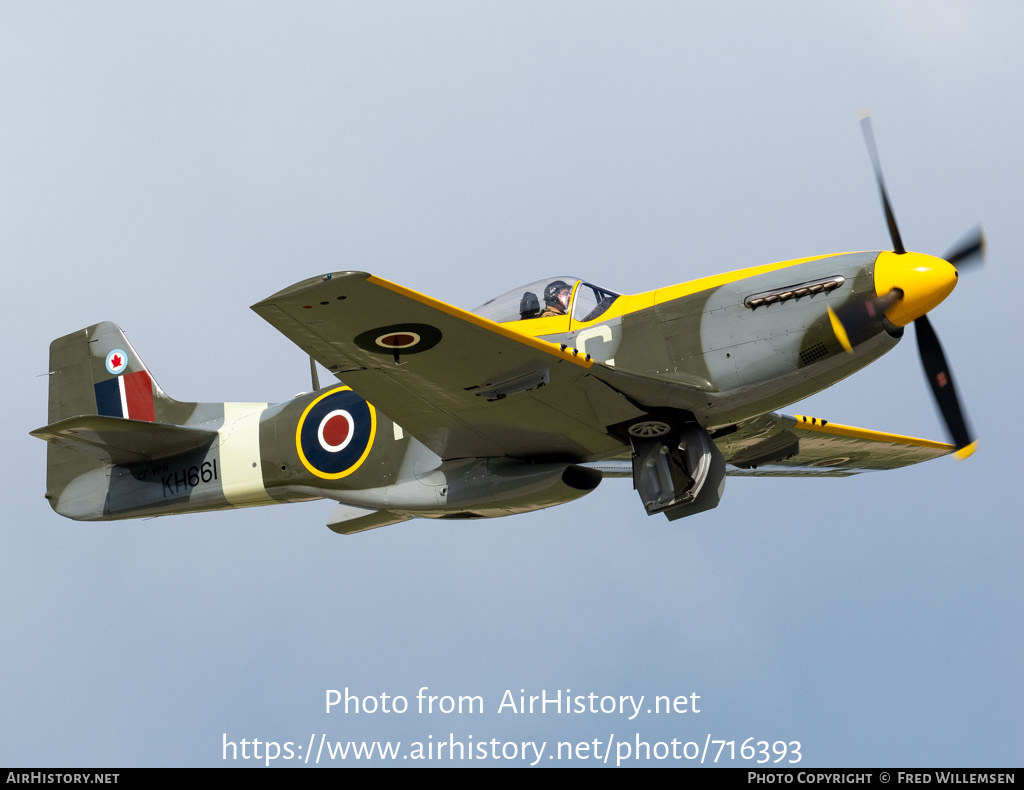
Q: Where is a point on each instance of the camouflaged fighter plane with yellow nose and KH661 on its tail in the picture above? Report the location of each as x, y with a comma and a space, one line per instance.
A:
525, 403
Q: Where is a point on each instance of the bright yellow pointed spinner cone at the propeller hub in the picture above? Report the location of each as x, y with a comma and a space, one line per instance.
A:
925, 281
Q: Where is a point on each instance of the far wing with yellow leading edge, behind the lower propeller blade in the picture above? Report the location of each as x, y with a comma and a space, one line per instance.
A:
780, 446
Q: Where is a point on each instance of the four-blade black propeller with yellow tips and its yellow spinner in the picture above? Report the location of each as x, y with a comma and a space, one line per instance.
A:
908, 285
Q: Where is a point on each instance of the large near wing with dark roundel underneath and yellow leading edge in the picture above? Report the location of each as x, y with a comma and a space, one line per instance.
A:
464, 386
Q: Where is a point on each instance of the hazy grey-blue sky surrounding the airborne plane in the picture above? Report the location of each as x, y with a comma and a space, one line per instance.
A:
166, 165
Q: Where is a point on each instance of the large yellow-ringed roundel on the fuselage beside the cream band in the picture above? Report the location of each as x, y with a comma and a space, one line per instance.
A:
335, 434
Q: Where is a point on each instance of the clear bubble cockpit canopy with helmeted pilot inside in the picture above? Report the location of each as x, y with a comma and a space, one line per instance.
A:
551, 297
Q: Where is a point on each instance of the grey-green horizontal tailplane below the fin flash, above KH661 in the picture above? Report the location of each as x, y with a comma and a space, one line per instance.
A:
118, 441
